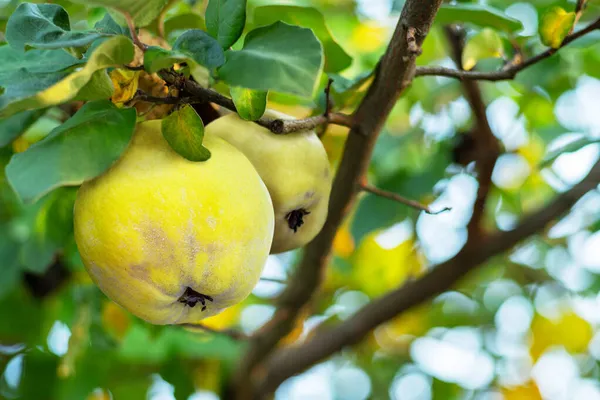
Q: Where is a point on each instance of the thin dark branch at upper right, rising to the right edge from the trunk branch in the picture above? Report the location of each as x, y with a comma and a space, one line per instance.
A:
511, 70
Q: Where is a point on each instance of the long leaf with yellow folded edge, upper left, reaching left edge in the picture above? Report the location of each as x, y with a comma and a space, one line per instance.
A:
31, 91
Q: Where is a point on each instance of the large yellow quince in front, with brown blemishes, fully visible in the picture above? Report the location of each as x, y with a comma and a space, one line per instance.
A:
155, 224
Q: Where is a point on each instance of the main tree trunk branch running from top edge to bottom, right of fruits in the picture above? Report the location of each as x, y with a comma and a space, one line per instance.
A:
395, 71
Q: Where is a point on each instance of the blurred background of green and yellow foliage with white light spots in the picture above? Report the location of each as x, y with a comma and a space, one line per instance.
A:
523, 326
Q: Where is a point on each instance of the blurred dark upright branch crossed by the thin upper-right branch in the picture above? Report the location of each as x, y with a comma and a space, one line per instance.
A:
487, 148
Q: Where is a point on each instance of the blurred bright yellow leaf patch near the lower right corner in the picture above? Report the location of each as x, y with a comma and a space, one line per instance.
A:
568, 330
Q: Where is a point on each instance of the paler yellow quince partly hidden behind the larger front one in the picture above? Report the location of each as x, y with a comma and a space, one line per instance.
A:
295, 169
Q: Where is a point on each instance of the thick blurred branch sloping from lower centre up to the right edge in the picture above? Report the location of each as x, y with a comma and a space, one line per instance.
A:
294, 360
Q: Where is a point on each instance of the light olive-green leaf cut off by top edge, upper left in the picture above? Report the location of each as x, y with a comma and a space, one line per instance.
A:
143, 12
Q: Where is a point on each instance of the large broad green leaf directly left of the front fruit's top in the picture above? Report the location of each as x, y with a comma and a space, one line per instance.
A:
78, 150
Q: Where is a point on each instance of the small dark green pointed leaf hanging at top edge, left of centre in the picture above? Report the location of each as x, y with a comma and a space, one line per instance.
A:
225, 20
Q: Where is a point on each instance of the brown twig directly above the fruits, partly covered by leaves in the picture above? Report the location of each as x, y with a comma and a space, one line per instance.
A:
201, 94
